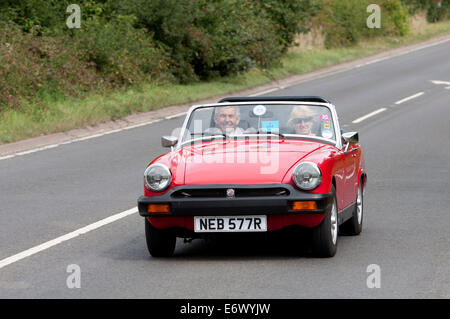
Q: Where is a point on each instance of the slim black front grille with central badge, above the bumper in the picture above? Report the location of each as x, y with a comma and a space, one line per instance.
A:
238, 192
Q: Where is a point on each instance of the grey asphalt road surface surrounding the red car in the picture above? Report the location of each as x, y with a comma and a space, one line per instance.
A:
48, 194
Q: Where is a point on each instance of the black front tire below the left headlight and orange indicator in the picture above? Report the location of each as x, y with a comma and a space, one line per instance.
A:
160, 242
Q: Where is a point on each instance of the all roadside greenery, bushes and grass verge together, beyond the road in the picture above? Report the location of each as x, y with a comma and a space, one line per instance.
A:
140, 55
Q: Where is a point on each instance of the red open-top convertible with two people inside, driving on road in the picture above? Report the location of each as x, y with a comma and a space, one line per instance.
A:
256, 164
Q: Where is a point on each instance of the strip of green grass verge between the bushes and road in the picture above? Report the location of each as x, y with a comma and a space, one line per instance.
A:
58, 114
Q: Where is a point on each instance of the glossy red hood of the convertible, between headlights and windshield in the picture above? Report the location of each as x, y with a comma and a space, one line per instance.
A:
243, 162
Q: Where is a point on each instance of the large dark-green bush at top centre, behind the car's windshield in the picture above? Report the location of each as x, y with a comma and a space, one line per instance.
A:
209, 38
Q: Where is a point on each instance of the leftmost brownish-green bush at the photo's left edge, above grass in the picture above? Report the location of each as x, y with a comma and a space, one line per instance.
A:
33, 65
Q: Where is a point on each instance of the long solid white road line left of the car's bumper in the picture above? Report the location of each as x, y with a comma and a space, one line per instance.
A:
32, 251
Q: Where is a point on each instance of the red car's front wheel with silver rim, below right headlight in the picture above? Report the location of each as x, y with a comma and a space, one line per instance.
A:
324, 244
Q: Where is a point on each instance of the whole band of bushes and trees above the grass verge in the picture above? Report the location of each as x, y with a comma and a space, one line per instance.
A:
128, 42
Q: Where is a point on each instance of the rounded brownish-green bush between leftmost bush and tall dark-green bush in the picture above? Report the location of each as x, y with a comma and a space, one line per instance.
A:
123, 55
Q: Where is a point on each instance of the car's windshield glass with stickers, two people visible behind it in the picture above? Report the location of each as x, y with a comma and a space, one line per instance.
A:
255, 120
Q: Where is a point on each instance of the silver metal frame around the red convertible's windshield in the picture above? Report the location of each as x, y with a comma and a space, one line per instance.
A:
337, 131
